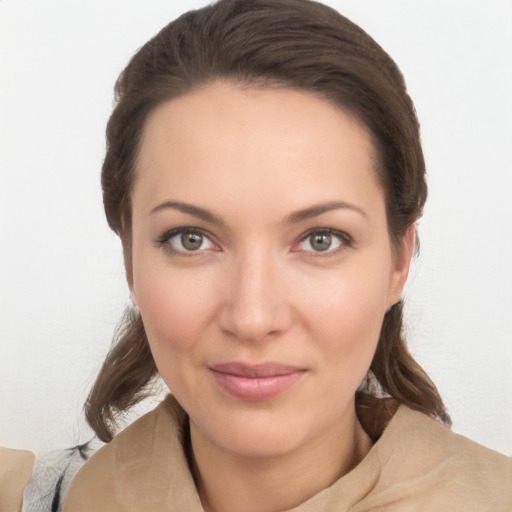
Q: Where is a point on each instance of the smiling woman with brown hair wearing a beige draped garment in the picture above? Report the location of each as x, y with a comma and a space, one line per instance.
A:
265, 174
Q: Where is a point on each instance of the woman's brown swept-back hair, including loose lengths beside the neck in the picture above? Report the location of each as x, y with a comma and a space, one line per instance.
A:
297, 44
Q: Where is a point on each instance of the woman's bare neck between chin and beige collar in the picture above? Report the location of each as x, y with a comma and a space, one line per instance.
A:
235, 483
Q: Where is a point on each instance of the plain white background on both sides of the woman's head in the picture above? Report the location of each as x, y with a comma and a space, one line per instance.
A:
62, 287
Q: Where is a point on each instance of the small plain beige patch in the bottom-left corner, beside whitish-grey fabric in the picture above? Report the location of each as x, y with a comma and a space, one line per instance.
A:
15, 470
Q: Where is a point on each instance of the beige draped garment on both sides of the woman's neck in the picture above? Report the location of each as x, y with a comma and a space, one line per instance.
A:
417, 465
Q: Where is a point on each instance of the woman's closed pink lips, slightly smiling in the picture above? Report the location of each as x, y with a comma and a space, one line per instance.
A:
255, 382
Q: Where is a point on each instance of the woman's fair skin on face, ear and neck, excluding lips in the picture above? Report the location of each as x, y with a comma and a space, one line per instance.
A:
257, 290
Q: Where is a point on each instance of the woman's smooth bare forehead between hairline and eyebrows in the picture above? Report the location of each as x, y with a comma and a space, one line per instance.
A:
232, 141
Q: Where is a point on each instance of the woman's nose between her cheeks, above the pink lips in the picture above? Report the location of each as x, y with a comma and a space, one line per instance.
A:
256, 302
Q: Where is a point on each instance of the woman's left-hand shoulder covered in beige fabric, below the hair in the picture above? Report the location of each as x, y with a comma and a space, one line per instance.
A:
137, 468
